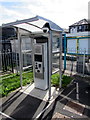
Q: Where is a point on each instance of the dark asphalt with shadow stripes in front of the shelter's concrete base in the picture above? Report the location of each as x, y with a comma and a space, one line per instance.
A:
22, 106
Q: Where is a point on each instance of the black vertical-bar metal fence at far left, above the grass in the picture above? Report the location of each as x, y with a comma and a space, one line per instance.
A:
6, 56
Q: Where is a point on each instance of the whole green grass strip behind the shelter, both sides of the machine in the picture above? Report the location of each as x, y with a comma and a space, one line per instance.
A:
12, 81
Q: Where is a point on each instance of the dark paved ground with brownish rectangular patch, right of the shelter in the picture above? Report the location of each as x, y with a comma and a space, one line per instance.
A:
67, 104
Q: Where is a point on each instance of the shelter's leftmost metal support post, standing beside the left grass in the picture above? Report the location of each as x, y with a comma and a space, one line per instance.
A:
20, 57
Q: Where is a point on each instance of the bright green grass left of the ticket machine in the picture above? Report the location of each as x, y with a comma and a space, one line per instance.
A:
13, 82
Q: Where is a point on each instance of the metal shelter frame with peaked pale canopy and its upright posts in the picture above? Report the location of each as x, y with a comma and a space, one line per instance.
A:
35, 25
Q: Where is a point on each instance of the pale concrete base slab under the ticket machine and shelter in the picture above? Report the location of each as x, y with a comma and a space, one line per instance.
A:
38, 93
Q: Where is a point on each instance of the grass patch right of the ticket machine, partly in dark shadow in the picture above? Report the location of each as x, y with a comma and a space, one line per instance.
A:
56, 78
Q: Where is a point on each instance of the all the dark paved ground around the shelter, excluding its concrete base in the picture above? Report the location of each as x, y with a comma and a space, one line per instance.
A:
19, 105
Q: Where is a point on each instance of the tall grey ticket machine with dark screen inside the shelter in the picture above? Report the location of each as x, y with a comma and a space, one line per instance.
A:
40, 66
